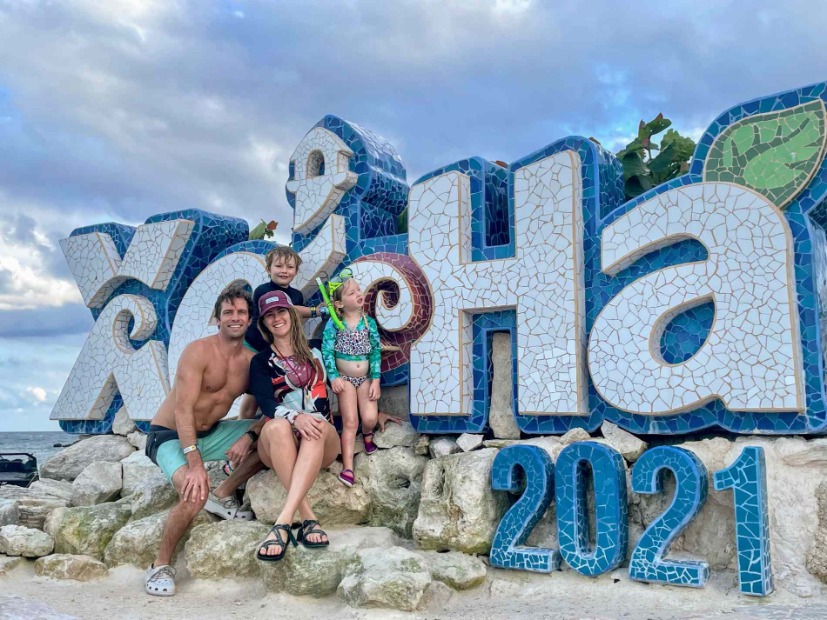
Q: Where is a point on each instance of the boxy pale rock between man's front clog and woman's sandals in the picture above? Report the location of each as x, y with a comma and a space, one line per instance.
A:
225, 549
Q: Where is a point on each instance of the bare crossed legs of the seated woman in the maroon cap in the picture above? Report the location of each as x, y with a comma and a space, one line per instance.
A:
297, 464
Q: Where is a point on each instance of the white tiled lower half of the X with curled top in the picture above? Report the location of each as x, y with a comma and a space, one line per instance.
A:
108, 363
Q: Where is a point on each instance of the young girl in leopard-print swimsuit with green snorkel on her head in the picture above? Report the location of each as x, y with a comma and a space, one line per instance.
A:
352, 360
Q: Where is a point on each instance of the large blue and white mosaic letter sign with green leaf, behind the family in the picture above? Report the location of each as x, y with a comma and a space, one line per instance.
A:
696, 305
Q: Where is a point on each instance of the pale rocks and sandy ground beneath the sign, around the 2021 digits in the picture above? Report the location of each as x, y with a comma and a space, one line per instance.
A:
412, 536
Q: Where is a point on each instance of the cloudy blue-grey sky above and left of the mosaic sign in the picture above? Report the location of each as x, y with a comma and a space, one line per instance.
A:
117, 110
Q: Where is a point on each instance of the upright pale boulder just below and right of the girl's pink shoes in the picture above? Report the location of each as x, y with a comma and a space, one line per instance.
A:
393, 483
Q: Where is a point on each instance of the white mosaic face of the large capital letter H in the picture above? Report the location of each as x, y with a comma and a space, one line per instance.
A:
544, 282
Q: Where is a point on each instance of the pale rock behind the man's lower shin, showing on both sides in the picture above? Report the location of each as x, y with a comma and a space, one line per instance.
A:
137, 542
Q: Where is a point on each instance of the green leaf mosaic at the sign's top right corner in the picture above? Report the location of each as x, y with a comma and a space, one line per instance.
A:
774, 154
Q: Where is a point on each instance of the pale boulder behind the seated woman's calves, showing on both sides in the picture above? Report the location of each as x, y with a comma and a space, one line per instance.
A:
332, 501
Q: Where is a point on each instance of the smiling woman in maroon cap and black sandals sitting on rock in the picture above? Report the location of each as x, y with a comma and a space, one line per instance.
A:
288, 382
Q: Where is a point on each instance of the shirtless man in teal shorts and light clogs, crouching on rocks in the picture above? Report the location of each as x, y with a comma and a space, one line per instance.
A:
187, 430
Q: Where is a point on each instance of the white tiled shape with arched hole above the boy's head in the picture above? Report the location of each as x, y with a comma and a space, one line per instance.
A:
317, 196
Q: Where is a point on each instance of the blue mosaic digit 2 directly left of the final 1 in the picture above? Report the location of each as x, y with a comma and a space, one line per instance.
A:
647, 562
